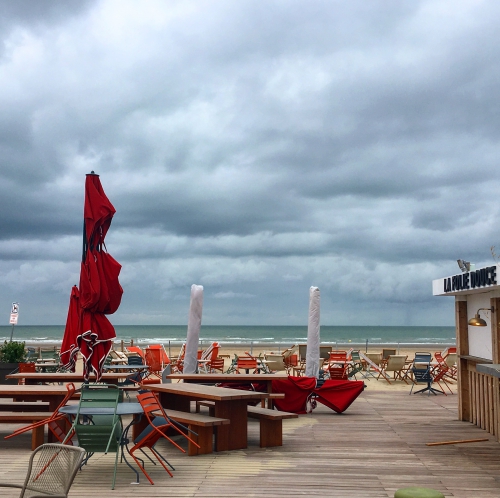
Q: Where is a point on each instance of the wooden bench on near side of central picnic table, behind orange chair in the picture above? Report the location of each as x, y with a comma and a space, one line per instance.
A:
203, 425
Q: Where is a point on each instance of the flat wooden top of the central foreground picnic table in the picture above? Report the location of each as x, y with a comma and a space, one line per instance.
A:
198, 391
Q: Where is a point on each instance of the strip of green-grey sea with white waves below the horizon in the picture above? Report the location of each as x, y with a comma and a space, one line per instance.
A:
279, 337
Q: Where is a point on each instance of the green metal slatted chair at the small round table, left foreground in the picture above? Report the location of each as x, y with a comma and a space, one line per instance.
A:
101, 431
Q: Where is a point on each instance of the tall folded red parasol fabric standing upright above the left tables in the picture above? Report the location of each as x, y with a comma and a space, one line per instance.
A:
100, 291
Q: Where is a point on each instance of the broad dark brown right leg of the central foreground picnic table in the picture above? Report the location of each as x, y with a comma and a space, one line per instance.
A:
235, 435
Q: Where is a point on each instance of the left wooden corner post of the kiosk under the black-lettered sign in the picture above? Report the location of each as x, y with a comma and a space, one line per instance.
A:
462, 331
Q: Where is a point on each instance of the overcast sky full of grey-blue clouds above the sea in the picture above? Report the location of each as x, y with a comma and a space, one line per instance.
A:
252, 147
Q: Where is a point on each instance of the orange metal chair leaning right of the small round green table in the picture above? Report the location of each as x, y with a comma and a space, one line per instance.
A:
159, 424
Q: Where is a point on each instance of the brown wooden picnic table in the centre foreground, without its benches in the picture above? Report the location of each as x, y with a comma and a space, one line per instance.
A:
229, 404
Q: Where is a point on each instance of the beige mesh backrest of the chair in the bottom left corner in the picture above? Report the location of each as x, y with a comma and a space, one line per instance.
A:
52, 469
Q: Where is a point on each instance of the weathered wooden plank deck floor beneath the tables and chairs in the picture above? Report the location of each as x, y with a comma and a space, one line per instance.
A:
374, 448
